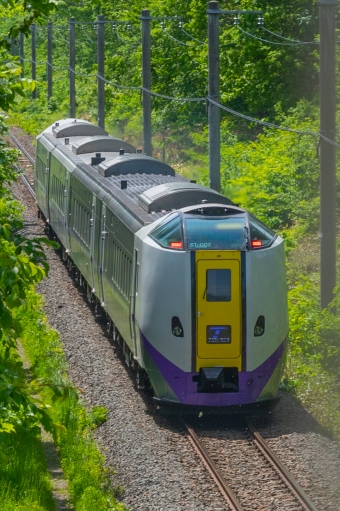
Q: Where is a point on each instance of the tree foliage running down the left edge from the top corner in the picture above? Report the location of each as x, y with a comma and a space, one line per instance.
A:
22, 260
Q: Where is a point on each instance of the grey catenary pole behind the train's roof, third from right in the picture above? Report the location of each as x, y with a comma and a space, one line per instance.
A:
146, 79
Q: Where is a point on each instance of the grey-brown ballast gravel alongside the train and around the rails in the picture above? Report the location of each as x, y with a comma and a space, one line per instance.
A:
154, 465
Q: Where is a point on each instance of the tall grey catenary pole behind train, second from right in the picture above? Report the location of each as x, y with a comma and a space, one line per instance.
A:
214, 93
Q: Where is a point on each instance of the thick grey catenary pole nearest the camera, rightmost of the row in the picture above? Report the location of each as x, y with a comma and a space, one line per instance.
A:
327, 19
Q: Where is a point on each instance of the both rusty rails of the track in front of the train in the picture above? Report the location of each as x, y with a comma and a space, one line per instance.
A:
268, 454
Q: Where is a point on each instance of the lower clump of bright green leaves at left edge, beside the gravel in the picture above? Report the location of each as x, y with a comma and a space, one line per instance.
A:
22, 265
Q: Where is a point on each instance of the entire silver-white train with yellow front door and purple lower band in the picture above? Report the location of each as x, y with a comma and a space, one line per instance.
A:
194, 284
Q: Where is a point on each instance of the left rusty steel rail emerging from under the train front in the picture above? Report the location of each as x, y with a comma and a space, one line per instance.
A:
226, 491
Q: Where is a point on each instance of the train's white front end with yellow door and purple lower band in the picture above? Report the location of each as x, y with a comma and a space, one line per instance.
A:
210, 309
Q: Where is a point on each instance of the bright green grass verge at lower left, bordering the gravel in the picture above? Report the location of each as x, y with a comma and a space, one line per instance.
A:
82, 462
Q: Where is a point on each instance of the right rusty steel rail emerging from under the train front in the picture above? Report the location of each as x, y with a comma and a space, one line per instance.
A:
289, 480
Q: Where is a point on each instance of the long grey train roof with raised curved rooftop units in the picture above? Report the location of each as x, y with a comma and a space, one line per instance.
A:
142, 185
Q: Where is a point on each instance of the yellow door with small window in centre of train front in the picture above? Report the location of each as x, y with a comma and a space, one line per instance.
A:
218, 308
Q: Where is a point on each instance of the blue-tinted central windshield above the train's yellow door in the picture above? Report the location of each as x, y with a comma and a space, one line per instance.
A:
228, 233
